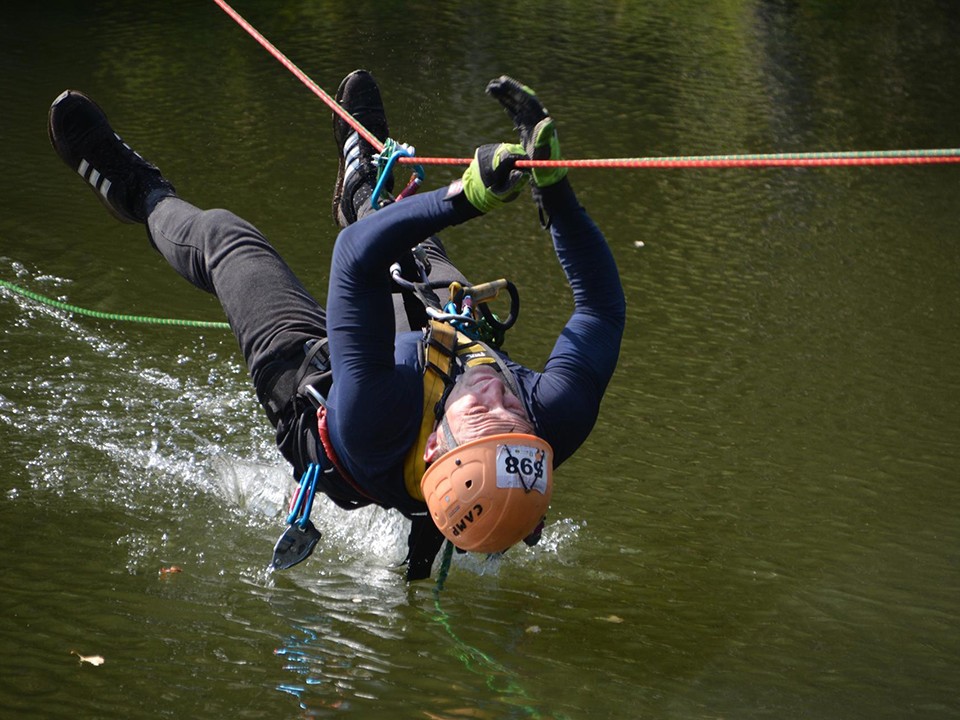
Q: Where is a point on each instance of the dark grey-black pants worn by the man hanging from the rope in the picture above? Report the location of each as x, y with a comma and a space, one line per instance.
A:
271, 313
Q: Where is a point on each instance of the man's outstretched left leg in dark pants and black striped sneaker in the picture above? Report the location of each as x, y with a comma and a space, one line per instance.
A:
270, 312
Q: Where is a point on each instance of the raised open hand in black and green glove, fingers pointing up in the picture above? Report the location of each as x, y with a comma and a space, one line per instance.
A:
538, 134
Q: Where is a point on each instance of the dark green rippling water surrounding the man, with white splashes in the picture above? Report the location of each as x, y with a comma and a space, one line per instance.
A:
764, 523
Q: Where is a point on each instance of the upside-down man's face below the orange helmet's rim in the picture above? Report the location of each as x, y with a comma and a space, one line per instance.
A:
481, 404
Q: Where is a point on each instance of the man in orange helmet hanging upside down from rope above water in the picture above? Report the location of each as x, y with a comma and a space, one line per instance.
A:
374, 403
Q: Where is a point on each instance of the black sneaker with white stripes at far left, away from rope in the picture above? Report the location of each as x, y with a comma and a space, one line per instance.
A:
84, 140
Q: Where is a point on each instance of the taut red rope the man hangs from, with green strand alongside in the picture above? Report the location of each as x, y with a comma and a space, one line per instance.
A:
810, 159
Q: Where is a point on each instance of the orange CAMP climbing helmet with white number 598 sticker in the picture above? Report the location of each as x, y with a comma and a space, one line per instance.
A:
488, 494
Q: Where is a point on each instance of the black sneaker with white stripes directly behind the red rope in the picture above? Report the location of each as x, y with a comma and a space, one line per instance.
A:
359, 95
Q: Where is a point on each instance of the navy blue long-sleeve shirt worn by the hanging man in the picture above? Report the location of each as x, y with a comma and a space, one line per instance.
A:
375, 406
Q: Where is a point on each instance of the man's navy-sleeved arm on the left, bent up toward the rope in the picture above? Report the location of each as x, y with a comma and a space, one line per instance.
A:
375, 402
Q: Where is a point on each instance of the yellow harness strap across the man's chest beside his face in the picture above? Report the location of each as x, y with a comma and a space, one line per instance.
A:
441, 348
